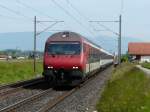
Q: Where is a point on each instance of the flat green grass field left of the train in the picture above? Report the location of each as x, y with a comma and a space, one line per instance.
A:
13, 71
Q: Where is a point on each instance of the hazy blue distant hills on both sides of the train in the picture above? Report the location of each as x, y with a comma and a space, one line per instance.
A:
24, 41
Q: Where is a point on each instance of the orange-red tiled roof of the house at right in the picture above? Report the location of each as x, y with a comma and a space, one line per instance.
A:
139, 48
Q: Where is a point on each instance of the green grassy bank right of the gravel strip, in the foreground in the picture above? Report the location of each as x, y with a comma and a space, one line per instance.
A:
127, 91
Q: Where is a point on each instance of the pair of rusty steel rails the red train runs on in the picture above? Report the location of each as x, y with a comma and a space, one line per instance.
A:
52, 103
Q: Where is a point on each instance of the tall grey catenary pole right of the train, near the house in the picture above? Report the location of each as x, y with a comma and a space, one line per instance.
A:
119, 40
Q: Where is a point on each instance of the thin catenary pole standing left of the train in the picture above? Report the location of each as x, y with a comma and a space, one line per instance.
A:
34, 54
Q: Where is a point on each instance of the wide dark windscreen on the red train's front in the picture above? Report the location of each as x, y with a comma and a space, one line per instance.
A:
64, 48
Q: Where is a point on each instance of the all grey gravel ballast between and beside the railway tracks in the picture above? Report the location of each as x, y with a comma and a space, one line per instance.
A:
83, 100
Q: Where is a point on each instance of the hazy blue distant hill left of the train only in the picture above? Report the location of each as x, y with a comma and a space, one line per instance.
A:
22, 41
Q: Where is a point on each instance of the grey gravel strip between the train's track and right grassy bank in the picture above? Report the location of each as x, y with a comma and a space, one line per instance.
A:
84, 100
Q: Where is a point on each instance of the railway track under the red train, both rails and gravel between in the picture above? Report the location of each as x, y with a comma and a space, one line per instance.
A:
25, 104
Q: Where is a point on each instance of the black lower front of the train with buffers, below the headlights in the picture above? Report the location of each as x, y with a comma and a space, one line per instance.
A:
63, 77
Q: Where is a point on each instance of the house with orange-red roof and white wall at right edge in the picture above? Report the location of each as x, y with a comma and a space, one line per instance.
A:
139, 51
